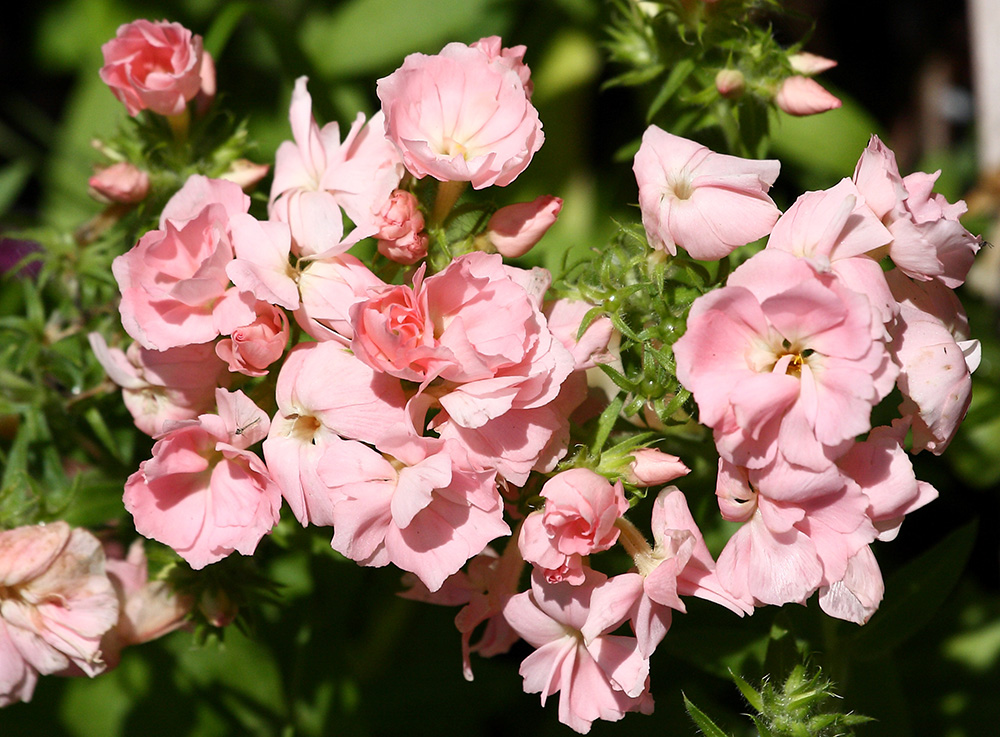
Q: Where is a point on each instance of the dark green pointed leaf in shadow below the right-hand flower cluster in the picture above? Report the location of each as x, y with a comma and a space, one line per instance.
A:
914, 593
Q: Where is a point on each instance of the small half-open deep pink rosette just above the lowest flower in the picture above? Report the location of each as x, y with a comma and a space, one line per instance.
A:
578, 519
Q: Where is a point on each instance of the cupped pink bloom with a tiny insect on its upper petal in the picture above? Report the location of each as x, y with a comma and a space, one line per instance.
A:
202, 493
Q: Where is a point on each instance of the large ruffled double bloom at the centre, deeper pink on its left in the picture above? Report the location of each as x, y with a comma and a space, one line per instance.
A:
474, 338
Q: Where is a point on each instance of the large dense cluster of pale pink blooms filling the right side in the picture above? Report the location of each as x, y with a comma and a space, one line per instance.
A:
788, 359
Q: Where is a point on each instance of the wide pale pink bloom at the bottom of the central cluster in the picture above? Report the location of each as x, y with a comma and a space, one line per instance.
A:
413, 502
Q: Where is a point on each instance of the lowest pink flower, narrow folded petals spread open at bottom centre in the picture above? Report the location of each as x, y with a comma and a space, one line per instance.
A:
597, 675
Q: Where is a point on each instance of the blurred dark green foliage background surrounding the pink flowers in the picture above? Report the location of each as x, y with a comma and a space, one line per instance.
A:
341, 654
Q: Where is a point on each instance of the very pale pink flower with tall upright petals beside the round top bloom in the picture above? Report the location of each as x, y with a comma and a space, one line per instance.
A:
318, 179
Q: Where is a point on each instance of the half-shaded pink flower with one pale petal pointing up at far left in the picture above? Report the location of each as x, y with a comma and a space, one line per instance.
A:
163, 386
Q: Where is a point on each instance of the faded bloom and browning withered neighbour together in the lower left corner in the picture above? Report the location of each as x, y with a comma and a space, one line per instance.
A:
67, 608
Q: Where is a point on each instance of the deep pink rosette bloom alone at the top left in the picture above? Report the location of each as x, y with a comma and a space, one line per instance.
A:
153, 66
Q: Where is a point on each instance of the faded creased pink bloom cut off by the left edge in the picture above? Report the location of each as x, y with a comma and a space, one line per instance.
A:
56, 603
